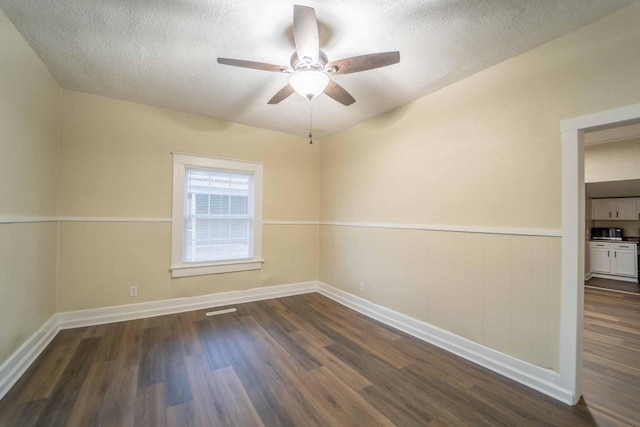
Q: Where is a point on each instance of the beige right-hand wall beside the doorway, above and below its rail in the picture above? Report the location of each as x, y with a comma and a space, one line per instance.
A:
482, 152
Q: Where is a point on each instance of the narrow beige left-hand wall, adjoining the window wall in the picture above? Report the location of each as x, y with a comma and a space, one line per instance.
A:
29, 99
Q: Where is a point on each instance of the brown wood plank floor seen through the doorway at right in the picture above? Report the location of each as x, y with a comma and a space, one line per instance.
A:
611, 356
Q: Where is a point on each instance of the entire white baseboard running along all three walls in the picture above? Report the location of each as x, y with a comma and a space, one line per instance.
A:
543, 380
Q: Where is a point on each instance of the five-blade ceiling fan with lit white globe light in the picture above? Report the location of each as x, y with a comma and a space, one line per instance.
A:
310, 68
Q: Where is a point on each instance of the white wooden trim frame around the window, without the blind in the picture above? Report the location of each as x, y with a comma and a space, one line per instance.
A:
181, 162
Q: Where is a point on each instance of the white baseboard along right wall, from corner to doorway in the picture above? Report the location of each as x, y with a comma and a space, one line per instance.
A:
540, 379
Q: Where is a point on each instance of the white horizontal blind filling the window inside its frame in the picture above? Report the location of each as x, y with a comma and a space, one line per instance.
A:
218, 216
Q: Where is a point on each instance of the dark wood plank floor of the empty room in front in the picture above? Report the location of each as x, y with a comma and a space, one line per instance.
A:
296, 361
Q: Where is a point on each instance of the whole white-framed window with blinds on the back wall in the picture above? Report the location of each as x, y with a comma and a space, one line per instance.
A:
217, 215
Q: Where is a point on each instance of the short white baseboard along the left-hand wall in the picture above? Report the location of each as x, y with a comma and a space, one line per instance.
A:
17, 364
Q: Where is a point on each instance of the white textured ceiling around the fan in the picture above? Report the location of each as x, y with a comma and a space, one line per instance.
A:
163, 52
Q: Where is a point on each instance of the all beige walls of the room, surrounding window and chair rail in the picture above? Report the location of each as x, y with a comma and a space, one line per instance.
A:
482, 152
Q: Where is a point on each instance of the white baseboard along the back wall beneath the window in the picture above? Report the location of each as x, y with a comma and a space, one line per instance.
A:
120, 313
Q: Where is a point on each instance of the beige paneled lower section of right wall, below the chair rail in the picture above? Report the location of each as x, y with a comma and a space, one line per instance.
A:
498, 290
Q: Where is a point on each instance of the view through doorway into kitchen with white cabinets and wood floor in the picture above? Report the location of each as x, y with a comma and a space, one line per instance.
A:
612, 289
